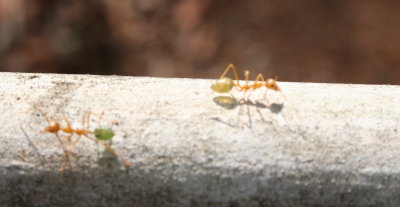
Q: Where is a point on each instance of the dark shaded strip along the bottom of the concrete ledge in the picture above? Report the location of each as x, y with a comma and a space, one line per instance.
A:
110, 186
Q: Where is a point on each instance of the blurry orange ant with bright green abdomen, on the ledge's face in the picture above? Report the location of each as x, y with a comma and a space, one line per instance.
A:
55, 127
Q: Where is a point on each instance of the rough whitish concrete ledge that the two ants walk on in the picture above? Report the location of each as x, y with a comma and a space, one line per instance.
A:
316, 145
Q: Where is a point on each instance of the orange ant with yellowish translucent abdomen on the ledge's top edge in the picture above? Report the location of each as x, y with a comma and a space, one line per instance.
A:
224, 84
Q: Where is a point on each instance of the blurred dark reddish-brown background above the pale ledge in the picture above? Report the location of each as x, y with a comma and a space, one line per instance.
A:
350, 41
